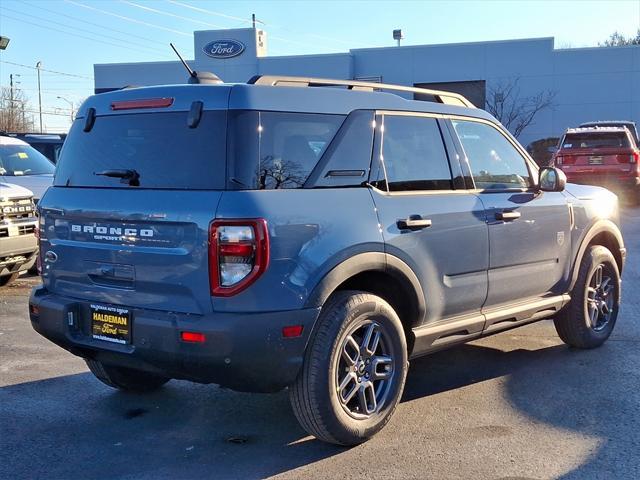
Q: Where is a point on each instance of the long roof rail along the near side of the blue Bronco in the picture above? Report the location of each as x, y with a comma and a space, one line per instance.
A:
440, 96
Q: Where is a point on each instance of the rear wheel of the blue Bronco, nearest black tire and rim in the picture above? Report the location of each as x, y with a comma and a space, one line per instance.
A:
316, 397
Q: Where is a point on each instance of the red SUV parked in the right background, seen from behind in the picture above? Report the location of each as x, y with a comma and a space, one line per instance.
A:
607, 156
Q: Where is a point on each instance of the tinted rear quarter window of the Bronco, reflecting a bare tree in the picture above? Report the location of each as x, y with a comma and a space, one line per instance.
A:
277, 150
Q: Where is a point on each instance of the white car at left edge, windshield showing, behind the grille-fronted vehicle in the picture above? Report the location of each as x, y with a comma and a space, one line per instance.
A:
23, 165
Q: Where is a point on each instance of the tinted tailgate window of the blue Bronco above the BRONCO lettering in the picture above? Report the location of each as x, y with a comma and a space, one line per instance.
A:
160, 147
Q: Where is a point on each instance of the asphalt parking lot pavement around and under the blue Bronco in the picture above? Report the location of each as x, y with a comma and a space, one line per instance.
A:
516, 405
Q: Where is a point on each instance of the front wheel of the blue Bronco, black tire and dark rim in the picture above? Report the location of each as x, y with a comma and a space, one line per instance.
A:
574, 323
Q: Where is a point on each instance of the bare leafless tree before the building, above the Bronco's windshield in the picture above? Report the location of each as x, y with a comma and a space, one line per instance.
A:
516, 112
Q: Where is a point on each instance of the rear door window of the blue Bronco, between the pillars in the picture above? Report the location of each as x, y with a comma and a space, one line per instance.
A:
414, 155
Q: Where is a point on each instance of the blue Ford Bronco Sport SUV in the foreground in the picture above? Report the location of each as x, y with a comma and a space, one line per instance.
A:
311, 234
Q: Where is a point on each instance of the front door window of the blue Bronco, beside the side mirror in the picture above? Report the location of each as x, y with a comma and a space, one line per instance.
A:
495, 163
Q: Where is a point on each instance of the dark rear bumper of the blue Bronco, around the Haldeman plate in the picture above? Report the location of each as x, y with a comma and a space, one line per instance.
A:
242, 351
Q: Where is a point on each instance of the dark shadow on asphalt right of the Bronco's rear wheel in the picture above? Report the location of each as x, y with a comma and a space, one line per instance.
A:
586, 391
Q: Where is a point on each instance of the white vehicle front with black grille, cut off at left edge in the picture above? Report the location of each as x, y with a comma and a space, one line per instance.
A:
18, 245
